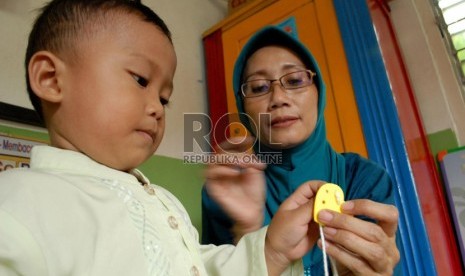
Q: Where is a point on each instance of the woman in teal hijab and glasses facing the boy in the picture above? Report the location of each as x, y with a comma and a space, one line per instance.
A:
278, 84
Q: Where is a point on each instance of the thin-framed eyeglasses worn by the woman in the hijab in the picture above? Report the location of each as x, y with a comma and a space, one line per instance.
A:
291, 81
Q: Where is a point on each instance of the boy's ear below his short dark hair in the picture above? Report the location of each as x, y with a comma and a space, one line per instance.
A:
45, 70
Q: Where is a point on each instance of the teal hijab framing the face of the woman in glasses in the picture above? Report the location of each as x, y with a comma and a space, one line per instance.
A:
314, 159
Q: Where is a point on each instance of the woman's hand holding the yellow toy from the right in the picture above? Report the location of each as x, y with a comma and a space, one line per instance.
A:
361, 247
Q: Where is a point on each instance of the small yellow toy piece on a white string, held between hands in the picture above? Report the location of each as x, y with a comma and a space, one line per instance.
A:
329, 196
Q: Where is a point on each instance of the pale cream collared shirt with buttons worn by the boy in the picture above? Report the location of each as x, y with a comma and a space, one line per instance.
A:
69, 215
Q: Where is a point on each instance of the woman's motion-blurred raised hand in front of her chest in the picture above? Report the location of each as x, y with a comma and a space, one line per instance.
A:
240, 187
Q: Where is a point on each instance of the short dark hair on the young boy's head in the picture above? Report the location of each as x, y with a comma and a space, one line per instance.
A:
61, 23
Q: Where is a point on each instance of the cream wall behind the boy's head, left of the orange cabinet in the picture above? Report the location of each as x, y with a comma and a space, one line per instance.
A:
187, 20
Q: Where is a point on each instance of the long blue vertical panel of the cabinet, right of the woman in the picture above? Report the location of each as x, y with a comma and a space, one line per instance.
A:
381, 127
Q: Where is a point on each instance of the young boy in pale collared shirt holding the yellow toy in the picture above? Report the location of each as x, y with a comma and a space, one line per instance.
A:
100, 73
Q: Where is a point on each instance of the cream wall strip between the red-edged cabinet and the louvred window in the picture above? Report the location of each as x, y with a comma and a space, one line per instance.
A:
436, 86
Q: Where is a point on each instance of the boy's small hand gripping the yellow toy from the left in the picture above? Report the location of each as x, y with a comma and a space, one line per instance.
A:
292, 231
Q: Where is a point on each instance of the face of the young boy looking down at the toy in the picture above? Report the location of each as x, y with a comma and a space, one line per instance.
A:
114, 93
